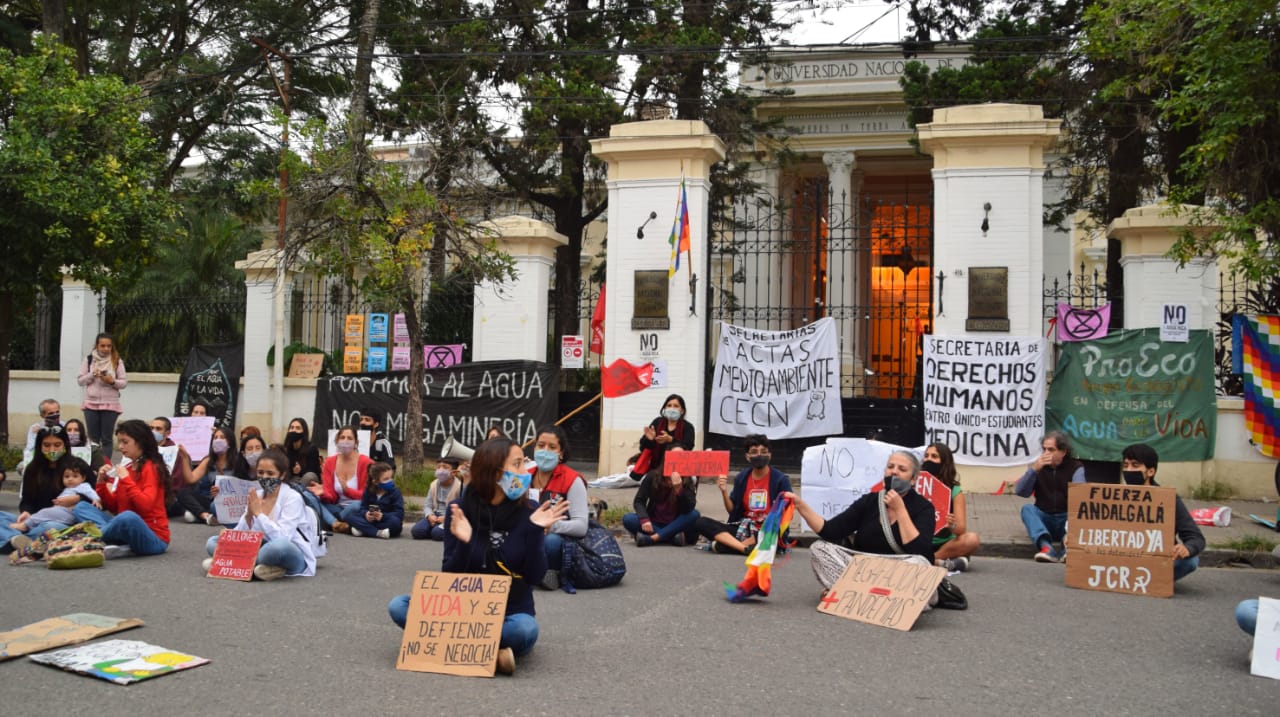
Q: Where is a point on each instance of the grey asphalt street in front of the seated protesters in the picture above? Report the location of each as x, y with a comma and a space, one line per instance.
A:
666, 642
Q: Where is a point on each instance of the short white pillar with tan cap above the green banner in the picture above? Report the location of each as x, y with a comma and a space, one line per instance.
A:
1151, 280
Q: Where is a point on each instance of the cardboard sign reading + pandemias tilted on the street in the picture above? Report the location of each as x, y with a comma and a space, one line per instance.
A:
885, 592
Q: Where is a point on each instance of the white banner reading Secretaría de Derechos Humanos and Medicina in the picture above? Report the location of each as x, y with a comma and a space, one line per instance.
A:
985, 398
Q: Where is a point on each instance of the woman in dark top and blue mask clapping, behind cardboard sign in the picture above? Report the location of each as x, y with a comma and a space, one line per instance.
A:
493, 529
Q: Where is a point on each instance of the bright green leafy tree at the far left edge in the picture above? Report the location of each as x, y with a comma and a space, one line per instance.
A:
77, 181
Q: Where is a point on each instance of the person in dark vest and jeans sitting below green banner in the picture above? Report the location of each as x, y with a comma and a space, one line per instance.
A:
1048, 479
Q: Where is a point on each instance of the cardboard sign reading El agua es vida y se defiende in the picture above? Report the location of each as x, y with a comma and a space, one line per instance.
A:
454, 624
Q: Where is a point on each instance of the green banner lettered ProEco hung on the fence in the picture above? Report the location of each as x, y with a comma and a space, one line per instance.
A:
1131, 387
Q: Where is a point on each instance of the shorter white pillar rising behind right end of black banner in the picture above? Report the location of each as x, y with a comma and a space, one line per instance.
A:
510, 321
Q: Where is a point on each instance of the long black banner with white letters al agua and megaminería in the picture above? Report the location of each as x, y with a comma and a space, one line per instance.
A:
461, 403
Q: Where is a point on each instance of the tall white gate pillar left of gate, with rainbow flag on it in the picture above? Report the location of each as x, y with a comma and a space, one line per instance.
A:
646, 163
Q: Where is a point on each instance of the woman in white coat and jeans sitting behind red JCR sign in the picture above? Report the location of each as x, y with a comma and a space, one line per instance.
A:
287, 527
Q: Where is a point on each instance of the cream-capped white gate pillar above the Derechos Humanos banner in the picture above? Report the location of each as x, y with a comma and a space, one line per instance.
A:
990, 154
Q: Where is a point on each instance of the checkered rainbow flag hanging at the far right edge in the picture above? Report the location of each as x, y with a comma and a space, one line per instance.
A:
1256, 357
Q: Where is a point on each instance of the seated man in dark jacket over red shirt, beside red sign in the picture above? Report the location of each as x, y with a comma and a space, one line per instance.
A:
755, 491
